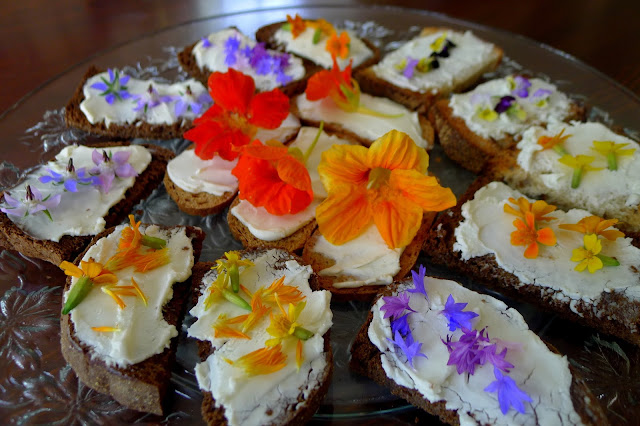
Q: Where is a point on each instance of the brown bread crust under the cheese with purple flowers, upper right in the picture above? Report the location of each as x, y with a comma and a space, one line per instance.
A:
468, 149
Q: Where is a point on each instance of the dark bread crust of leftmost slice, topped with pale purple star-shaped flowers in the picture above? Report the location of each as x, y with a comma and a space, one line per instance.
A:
14, 238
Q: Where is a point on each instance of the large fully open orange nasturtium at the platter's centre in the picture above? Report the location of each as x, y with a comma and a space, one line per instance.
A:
386, 185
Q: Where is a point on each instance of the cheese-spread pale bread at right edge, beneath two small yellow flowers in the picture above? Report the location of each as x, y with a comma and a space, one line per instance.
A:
611, 193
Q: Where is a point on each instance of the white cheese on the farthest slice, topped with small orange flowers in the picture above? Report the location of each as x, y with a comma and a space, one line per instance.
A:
303, 46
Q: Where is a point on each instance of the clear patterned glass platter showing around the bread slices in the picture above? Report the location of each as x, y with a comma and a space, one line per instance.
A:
36, 385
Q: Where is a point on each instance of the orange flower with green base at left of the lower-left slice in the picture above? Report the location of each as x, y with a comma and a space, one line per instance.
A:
90, 273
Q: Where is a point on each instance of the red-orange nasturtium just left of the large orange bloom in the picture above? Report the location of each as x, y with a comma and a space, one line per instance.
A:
270, 177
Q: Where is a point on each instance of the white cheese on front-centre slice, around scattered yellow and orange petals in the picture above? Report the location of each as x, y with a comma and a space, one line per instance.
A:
246, 399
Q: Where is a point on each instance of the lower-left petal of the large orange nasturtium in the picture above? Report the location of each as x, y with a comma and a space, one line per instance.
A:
344, 215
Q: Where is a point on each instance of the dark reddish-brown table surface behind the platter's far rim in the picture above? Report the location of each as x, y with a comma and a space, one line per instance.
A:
39, 39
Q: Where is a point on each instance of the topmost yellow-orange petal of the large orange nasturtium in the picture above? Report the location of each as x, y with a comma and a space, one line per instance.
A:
396, 150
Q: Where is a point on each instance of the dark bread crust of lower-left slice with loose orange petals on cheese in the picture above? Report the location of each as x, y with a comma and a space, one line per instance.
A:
140, 386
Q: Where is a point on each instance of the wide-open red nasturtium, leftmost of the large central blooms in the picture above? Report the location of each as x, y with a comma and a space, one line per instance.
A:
235, 116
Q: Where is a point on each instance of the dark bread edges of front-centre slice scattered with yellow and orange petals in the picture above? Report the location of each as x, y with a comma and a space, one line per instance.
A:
214, 415
